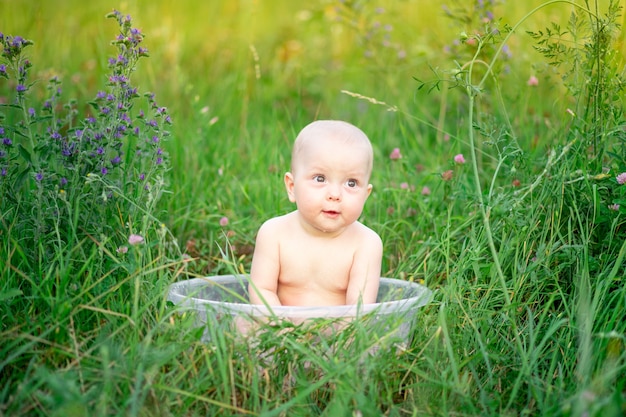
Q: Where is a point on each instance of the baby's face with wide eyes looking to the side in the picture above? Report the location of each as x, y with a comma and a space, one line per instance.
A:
330, 183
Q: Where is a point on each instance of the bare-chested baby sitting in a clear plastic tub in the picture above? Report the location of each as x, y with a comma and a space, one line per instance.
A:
320, 254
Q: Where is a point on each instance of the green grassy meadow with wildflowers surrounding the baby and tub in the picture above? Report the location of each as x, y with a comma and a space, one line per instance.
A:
499, 183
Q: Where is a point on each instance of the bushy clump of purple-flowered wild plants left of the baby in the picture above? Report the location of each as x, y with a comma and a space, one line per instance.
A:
65, 178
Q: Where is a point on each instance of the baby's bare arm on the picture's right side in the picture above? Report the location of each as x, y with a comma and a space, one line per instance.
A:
365, 272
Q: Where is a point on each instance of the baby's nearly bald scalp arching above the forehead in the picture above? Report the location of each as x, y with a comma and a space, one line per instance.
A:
332, 133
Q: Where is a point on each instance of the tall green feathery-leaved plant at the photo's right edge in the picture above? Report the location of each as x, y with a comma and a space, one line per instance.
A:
583, 53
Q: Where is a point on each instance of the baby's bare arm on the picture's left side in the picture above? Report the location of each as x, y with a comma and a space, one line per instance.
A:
265, 267
